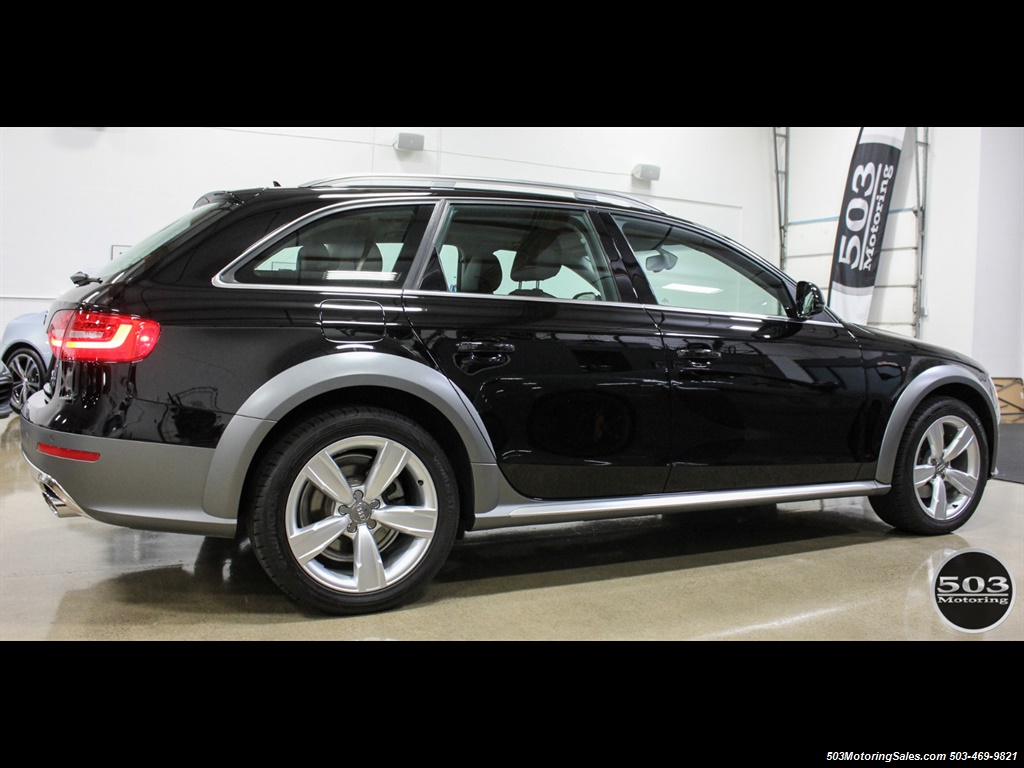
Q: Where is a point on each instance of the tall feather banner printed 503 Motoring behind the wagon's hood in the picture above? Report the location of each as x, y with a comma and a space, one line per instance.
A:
863, 222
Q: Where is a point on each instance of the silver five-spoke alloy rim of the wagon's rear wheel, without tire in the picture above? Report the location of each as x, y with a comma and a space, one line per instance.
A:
362, 515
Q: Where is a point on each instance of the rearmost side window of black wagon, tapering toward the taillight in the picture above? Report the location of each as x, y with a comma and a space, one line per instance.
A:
370, 247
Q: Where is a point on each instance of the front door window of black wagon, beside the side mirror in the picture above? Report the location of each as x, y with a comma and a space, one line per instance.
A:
688, 271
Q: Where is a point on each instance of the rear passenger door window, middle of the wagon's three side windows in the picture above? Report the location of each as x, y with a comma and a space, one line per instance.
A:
524, 251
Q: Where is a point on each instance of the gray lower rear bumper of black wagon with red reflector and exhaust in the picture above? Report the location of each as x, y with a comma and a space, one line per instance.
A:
152, 487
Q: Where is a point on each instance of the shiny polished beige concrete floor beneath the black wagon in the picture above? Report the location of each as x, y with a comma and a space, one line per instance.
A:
803, 572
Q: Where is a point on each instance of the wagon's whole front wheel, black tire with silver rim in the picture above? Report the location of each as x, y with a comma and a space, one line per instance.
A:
941, 473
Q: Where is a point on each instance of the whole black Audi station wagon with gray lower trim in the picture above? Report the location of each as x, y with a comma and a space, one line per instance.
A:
359, 371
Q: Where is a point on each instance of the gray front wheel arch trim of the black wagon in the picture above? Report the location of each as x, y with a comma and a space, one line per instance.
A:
947, 380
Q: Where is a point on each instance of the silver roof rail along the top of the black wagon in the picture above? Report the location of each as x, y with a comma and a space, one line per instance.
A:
430, 182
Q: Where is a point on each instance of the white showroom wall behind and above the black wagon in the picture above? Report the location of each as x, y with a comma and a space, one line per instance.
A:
69, 195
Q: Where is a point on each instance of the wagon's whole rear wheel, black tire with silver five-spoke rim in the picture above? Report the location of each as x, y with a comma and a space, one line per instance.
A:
355, 511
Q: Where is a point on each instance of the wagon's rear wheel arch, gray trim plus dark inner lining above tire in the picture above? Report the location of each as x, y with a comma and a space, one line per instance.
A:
411, 389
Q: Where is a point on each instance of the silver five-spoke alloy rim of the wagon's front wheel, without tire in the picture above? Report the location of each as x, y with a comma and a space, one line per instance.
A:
948, 468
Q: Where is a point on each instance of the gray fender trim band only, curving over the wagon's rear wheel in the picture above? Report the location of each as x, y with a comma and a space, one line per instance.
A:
291, 389
